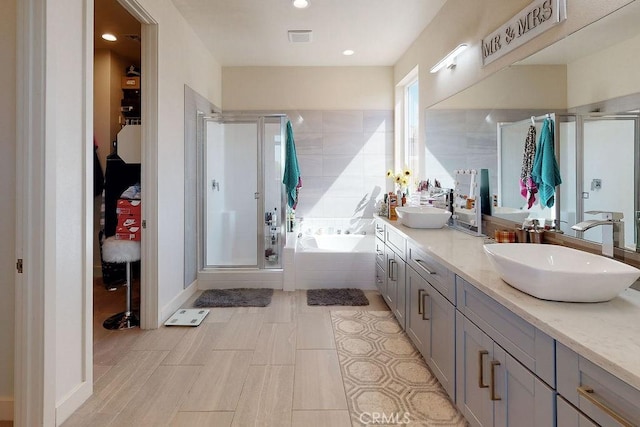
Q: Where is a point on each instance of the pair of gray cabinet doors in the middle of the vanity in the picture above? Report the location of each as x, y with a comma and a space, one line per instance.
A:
431, 326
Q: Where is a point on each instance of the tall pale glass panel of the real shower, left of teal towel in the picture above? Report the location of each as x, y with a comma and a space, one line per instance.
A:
231, 194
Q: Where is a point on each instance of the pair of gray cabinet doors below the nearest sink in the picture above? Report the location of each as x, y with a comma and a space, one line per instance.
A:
494, 389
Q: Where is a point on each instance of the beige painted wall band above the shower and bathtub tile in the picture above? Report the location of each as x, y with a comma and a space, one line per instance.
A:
307, 88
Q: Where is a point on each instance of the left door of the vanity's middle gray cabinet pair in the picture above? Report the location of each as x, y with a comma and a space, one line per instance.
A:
416, 326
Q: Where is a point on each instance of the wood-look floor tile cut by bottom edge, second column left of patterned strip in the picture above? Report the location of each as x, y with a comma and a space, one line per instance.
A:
266, 398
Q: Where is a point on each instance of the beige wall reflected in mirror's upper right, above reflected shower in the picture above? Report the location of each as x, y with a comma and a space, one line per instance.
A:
607, 74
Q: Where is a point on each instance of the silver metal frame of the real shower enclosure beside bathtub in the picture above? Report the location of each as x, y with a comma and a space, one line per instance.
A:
203, 186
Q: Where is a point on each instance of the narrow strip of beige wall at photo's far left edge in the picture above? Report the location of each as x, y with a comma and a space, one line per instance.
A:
8, 203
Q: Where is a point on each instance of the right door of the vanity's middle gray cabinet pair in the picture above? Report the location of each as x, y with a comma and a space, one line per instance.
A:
440, 343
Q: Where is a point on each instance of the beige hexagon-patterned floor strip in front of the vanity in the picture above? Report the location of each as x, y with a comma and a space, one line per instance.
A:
384, 374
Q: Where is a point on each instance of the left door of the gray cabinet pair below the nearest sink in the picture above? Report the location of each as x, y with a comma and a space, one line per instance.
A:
474, 352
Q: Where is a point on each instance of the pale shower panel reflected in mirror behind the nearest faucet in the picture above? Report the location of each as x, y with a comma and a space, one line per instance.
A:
609, 145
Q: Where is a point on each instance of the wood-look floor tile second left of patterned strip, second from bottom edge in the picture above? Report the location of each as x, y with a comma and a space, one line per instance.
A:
276, 345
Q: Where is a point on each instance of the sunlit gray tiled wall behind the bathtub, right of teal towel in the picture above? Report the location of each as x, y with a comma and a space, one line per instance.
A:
343, 157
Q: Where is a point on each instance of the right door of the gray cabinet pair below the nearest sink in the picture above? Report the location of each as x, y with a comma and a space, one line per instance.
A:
520, 398
